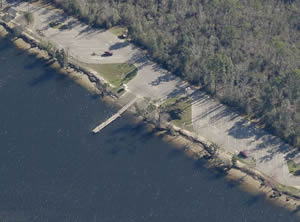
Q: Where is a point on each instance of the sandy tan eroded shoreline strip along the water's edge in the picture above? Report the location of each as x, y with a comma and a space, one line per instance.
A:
194, 147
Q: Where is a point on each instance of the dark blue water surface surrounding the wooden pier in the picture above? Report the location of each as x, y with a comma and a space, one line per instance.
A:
53, 169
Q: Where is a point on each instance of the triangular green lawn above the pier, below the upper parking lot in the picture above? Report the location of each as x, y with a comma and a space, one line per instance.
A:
115, 73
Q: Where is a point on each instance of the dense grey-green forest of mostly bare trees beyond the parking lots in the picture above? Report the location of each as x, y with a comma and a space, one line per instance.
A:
246, 53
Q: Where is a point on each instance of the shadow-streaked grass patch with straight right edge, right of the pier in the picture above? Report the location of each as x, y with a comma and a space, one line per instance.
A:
183, 109
